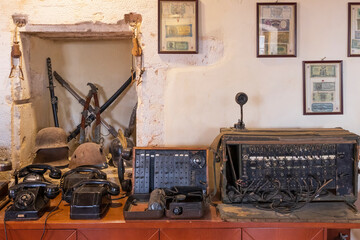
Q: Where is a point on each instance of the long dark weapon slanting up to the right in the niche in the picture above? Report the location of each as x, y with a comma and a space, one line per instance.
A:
91, 118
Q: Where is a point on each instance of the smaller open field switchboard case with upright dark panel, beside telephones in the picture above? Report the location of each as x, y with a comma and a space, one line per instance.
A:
169, 182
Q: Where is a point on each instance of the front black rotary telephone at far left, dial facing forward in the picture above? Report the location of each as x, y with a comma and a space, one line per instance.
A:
30, 200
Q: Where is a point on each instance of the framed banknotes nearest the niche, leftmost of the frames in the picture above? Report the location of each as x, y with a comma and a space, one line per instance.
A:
178, 26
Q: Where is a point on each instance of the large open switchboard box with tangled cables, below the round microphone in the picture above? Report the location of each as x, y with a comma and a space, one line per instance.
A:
287, 161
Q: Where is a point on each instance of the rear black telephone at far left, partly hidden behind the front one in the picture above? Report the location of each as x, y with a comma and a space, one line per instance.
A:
35, 172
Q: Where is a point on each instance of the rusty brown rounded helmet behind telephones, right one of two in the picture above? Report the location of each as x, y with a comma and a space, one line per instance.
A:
88, 153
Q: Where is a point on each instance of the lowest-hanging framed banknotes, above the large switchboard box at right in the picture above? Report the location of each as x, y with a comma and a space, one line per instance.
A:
323, 87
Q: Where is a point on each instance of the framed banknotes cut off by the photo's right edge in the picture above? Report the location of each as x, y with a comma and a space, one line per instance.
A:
354, 29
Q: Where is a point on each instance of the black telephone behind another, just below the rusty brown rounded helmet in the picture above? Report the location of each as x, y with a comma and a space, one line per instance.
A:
76, 175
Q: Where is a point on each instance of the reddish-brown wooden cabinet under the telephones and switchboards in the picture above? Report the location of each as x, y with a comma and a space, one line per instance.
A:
113, 226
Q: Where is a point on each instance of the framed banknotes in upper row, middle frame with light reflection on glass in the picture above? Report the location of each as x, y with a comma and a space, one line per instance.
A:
276, 30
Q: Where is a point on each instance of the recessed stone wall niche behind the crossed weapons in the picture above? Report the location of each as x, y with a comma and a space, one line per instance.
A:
81, 53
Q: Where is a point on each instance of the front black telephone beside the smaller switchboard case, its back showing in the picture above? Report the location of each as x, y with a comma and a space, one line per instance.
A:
90, 198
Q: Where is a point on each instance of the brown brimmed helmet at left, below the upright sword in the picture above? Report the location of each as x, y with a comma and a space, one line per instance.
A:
51, 147
